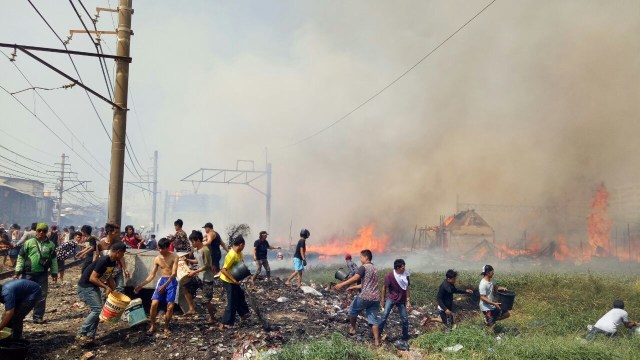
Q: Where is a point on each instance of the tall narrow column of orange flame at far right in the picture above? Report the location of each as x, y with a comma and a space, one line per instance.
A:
599, 223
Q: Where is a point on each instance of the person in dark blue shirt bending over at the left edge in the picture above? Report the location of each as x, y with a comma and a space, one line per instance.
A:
19, 297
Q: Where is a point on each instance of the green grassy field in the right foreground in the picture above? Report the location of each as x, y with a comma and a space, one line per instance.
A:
549, 320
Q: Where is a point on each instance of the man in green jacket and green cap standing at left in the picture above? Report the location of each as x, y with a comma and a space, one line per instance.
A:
35, 259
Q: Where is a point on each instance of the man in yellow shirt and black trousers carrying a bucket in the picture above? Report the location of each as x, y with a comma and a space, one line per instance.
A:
236, 301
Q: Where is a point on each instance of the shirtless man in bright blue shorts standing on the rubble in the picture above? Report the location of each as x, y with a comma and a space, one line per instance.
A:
167, 285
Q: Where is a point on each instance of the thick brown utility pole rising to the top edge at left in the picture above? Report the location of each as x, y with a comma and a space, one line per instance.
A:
119, 131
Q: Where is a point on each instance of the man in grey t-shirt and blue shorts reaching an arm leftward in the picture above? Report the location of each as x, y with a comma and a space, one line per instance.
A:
369, 297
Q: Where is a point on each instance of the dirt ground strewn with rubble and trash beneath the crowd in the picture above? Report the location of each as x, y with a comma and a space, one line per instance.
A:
291, 316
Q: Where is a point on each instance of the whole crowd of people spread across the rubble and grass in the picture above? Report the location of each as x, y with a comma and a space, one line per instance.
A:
41, 252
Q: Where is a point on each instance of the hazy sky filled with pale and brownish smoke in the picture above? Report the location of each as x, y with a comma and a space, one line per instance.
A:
530, 101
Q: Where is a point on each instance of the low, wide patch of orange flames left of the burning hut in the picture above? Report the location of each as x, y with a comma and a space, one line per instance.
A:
365, 240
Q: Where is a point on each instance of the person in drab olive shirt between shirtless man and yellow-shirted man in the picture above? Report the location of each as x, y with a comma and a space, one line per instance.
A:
203, 272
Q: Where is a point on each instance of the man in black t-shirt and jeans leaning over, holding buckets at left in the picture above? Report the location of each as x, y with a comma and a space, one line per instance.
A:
95, 276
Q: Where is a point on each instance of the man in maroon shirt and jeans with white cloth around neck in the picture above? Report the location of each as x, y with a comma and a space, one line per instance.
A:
396, 292
